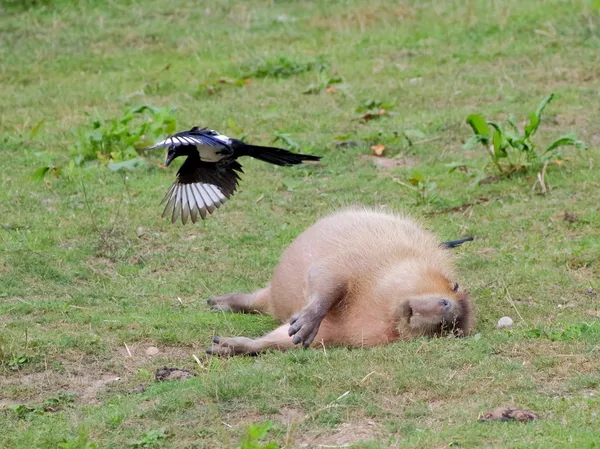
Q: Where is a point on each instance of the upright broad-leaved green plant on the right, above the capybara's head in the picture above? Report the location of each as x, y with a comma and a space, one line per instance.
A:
510, 149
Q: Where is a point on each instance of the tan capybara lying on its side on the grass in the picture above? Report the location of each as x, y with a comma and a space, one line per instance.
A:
356, 278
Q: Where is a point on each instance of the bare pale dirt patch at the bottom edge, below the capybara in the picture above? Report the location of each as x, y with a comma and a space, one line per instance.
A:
343, 435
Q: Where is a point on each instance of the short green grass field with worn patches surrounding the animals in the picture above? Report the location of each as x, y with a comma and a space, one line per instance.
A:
91, 276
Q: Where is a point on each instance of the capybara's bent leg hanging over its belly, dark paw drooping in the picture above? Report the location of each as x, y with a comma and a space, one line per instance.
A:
324, 291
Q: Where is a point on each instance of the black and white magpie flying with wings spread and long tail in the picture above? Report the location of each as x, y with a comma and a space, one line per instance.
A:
209, 175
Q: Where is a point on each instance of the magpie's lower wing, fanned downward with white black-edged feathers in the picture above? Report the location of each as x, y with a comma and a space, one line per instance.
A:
200, 189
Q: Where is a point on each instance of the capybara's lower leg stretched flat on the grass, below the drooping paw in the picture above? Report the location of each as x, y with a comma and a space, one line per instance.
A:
278, 340
